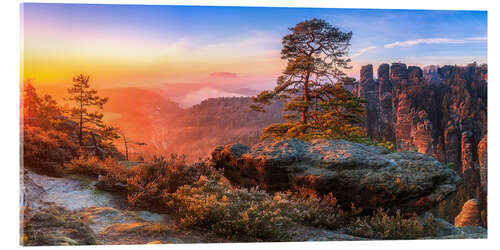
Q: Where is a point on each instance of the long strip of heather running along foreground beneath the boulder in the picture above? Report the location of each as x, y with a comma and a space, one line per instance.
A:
253, 214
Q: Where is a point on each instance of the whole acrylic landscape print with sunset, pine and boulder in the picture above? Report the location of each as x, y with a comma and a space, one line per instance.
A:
186, 124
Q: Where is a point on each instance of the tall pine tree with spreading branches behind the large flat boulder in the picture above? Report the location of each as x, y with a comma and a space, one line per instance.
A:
317, 104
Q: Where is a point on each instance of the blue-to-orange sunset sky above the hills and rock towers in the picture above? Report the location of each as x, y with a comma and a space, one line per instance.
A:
140, 44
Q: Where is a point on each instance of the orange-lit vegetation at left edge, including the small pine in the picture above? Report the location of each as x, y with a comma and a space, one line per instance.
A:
53, 135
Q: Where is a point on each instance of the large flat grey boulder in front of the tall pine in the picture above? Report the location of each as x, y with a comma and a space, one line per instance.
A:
370, 177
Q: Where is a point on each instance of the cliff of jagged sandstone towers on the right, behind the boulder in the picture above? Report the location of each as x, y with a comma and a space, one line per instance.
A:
438, 111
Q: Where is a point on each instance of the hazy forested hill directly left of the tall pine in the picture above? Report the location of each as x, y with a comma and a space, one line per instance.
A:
216, 121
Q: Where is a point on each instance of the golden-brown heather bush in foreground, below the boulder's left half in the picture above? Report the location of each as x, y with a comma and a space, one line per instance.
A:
246, 215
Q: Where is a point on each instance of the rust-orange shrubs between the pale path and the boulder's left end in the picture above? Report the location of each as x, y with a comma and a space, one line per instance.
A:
144, 184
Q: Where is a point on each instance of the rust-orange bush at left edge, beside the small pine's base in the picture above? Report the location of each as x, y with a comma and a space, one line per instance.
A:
45, 151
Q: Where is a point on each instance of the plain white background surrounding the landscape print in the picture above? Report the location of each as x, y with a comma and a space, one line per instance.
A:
9, 117
